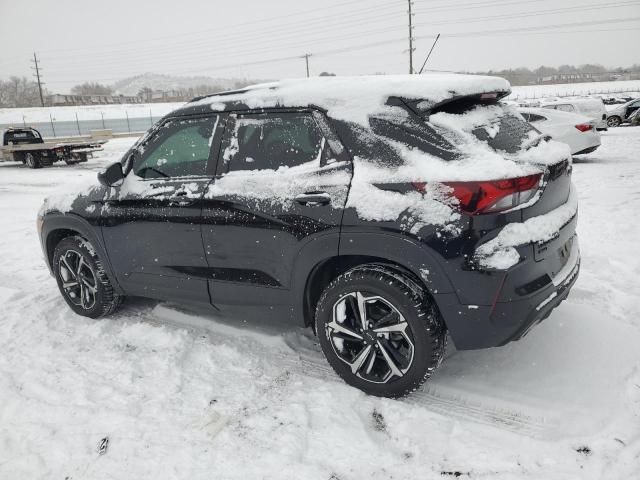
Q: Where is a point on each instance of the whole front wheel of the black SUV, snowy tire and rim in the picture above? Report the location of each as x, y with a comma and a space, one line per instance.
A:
87, 276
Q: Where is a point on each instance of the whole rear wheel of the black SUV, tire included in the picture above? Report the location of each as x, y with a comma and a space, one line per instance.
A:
382, 291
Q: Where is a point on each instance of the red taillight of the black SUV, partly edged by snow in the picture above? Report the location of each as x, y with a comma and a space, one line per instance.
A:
490, 196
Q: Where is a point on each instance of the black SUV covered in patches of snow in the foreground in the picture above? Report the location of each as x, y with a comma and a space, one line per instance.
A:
382, 212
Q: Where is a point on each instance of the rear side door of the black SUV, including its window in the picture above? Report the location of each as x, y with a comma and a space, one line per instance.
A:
274, 209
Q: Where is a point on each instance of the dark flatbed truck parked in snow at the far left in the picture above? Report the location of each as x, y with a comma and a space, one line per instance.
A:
26, 145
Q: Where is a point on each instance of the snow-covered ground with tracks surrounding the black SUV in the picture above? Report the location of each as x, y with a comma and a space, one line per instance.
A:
183, 394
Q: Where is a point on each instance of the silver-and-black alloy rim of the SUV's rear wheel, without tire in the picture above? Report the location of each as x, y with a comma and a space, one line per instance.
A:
371, 336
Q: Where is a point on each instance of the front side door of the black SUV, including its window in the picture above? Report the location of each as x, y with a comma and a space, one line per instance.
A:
151, 223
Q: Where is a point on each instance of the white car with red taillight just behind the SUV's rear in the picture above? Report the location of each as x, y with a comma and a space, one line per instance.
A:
577, 131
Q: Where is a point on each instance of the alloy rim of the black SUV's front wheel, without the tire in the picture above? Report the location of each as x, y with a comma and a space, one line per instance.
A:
78, 279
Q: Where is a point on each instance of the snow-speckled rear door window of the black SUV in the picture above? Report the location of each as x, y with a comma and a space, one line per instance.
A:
272, 140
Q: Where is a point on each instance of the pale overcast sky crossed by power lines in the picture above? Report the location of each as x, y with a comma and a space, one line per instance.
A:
80, 40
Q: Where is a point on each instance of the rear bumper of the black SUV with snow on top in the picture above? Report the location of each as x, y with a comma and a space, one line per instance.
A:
494, 306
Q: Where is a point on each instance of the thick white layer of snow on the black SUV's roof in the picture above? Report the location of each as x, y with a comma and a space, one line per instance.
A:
356, 98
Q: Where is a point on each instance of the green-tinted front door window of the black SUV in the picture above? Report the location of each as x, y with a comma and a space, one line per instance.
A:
179, 148
